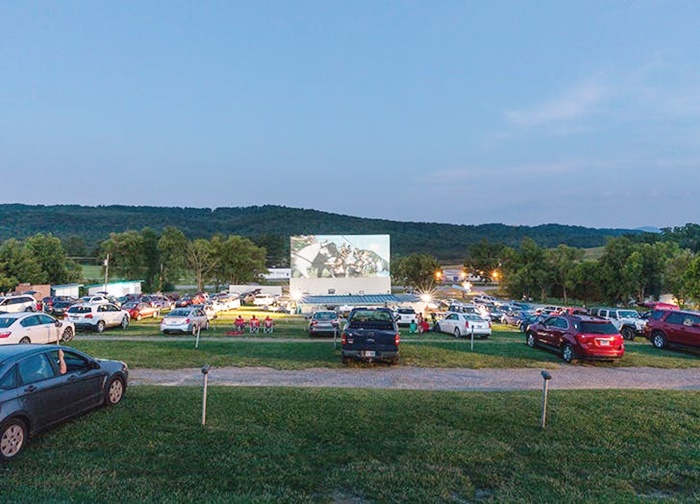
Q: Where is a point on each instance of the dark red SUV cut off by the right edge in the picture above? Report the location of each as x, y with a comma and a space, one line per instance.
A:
673, 327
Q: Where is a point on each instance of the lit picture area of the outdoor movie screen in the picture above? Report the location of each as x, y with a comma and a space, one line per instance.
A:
339, 256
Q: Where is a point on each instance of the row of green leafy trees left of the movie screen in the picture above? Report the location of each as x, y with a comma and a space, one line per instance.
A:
158, 259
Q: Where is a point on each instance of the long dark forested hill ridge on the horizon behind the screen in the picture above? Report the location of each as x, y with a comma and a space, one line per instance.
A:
444, 241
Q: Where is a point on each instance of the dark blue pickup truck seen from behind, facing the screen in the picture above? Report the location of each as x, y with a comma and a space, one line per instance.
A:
370, 334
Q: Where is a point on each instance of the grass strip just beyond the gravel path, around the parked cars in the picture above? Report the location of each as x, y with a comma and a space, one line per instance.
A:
291, 348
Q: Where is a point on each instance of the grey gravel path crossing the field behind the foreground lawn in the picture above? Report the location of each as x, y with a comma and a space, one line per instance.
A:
412, 378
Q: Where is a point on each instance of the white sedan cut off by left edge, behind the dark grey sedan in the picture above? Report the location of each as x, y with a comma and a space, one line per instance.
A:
29, 327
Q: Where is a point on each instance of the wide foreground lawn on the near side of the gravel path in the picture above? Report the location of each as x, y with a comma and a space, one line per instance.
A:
333, 445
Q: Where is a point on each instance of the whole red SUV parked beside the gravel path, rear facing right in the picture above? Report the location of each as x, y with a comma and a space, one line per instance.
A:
577, 337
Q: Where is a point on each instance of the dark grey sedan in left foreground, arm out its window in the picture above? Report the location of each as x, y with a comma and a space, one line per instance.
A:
37, 391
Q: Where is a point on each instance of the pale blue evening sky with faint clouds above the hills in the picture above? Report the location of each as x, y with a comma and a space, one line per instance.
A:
466, 112
